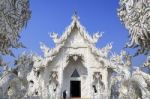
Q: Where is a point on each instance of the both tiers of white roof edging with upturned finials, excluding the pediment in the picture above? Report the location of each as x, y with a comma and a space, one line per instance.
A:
49, 53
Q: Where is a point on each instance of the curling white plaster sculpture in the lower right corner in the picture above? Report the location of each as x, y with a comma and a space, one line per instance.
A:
135, 87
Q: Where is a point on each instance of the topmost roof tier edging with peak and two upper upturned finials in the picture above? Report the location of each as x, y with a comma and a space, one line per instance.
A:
75, 23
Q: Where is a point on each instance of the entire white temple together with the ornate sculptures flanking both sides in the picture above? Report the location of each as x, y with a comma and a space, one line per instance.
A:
75, 68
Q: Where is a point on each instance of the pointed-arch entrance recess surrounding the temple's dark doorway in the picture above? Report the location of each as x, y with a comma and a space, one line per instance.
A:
73, 77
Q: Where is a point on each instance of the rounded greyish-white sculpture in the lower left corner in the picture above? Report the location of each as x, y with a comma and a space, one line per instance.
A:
10, 85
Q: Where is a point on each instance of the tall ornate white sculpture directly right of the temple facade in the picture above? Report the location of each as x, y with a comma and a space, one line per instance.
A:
120, 65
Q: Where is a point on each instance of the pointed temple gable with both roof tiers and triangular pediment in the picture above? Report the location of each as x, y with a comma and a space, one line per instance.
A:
74, 29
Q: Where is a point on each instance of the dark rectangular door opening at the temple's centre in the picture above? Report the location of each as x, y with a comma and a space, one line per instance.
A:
75, 88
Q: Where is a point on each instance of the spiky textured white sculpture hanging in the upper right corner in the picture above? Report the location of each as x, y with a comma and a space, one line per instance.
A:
135, 15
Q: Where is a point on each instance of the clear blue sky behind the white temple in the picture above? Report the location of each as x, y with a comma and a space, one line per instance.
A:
55, 15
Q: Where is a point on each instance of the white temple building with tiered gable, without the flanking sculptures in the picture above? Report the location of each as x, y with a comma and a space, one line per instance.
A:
74, 66
